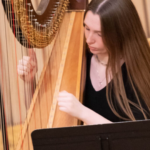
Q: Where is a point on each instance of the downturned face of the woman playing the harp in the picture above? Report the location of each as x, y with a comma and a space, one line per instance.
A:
92, 30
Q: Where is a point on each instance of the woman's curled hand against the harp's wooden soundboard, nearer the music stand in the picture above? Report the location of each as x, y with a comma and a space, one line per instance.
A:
68, 103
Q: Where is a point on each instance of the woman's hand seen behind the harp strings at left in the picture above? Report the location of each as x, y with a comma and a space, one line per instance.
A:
27, 66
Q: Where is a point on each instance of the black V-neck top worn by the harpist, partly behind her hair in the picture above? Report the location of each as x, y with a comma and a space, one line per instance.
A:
96, 100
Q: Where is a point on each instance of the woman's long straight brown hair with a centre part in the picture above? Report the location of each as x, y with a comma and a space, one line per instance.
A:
123, 35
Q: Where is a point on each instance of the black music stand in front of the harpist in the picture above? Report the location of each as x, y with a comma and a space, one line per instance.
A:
116, 136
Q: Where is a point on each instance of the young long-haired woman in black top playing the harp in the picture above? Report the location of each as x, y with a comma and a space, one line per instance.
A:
118, 66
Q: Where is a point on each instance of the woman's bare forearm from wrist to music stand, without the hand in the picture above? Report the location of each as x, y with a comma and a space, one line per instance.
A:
89, 117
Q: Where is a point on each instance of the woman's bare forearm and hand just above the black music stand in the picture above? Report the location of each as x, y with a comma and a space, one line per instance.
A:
69, 104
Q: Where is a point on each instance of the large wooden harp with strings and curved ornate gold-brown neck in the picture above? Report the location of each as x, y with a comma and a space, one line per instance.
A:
56, 35
